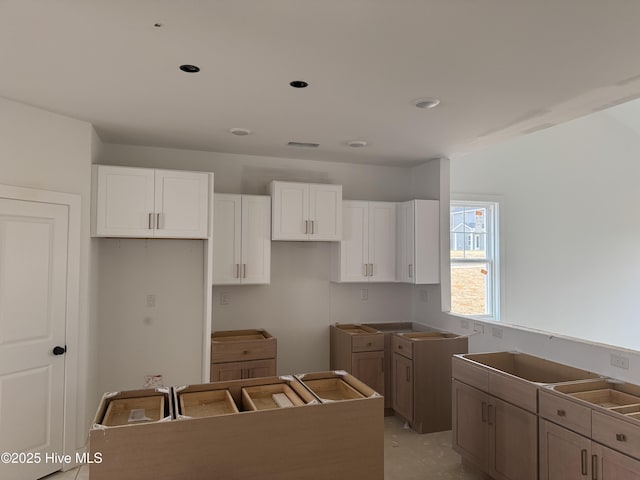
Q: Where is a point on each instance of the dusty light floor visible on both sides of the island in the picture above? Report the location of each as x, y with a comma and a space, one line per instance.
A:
407, 456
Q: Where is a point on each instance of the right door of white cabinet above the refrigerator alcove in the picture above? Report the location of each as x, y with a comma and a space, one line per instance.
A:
181, 204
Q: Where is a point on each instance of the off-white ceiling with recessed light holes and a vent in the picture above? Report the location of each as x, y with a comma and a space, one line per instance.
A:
500, 68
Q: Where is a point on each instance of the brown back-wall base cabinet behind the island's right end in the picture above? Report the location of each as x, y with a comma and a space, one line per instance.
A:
359, 350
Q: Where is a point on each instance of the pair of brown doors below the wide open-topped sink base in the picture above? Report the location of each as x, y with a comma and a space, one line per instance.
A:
495, 436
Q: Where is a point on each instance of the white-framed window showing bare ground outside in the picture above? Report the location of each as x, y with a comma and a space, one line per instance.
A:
474, 259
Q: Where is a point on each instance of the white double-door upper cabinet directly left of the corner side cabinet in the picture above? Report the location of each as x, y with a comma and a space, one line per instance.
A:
367, 252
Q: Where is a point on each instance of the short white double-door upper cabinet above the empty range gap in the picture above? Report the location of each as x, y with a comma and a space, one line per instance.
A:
306, 211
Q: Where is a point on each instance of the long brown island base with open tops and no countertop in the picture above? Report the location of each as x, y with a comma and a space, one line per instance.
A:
312, 439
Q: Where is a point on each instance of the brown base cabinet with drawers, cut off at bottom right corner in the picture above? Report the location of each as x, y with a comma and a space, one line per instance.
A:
595, 425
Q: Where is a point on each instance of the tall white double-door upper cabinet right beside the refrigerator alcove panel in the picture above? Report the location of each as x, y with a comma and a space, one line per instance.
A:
241, 239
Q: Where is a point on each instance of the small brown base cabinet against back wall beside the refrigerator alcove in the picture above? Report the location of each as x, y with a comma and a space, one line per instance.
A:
241, 354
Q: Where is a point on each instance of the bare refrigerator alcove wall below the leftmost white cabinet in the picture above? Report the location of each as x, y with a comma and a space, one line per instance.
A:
142, 335
